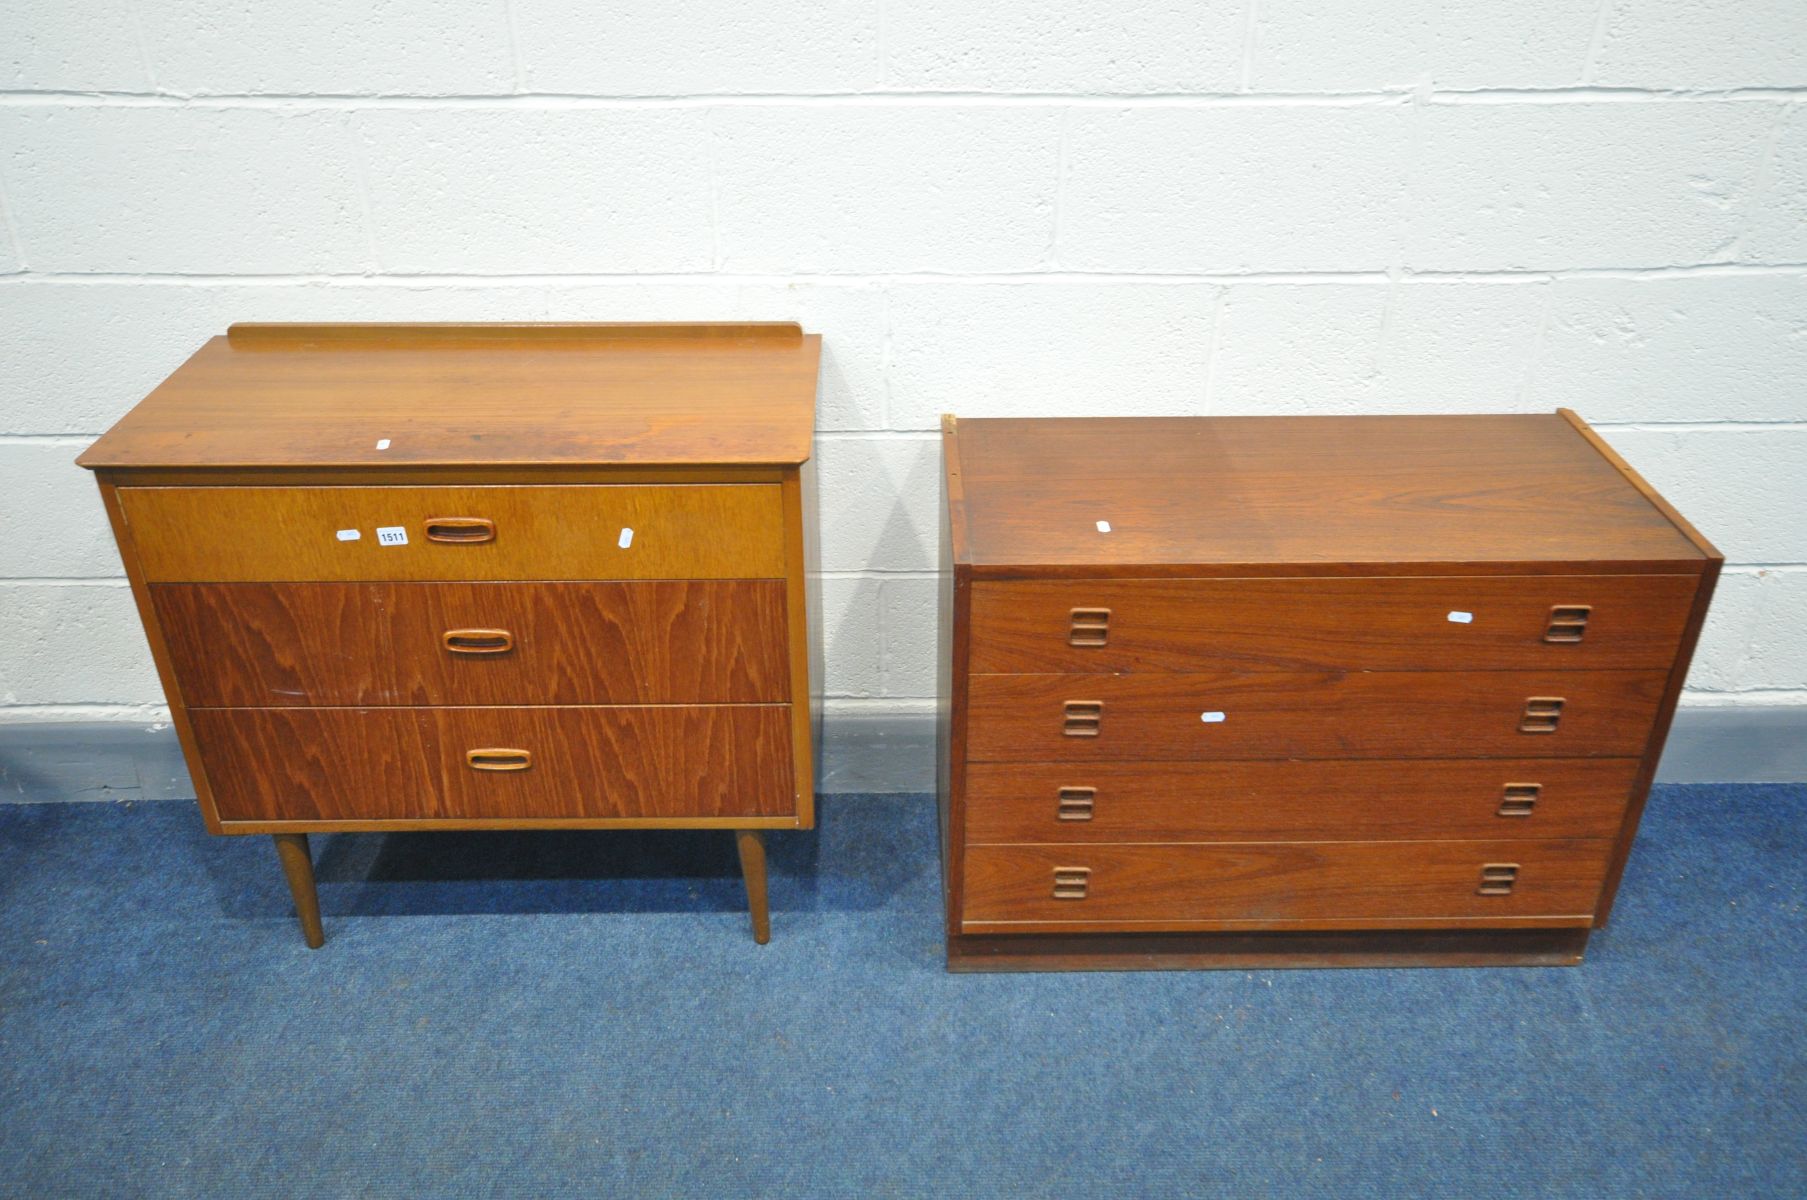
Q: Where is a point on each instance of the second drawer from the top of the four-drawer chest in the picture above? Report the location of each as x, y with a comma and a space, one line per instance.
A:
1295, 715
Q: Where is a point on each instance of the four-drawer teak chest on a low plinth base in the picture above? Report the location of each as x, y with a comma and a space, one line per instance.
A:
1300, 691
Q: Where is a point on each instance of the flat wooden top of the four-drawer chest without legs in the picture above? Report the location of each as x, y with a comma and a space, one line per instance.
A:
1264, 496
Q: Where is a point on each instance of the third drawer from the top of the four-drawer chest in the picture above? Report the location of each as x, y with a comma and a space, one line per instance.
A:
1434, 800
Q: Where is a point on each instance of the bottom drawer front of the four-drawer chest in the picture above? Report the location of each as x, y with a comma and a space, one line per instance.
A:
1282, 885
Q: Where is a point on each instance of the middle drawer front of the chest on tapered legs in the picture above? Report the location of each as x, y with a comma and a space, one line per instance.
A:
476, 644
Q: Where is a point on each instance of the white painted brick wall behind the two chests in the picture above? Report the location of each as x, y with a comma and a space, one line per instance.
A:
993, 209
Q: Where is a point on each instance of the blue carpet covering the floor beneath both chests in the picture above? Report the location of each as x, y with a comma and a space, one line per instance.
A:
586, 1017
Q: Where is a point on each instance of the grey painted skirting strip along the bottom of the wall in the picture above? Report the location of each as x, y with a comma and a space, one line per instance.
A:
118, 762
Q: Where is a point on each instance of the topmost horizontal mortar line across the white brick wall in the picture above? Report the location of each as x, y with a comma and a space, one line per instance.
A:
897, 100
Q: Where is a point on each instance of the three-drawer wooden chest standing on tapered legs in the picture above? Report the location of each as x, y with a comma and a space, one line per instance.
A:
480, 577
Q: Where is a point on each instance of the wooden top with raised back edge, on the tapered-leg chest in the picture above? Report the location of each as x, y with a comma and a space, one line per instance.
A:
478, 397
